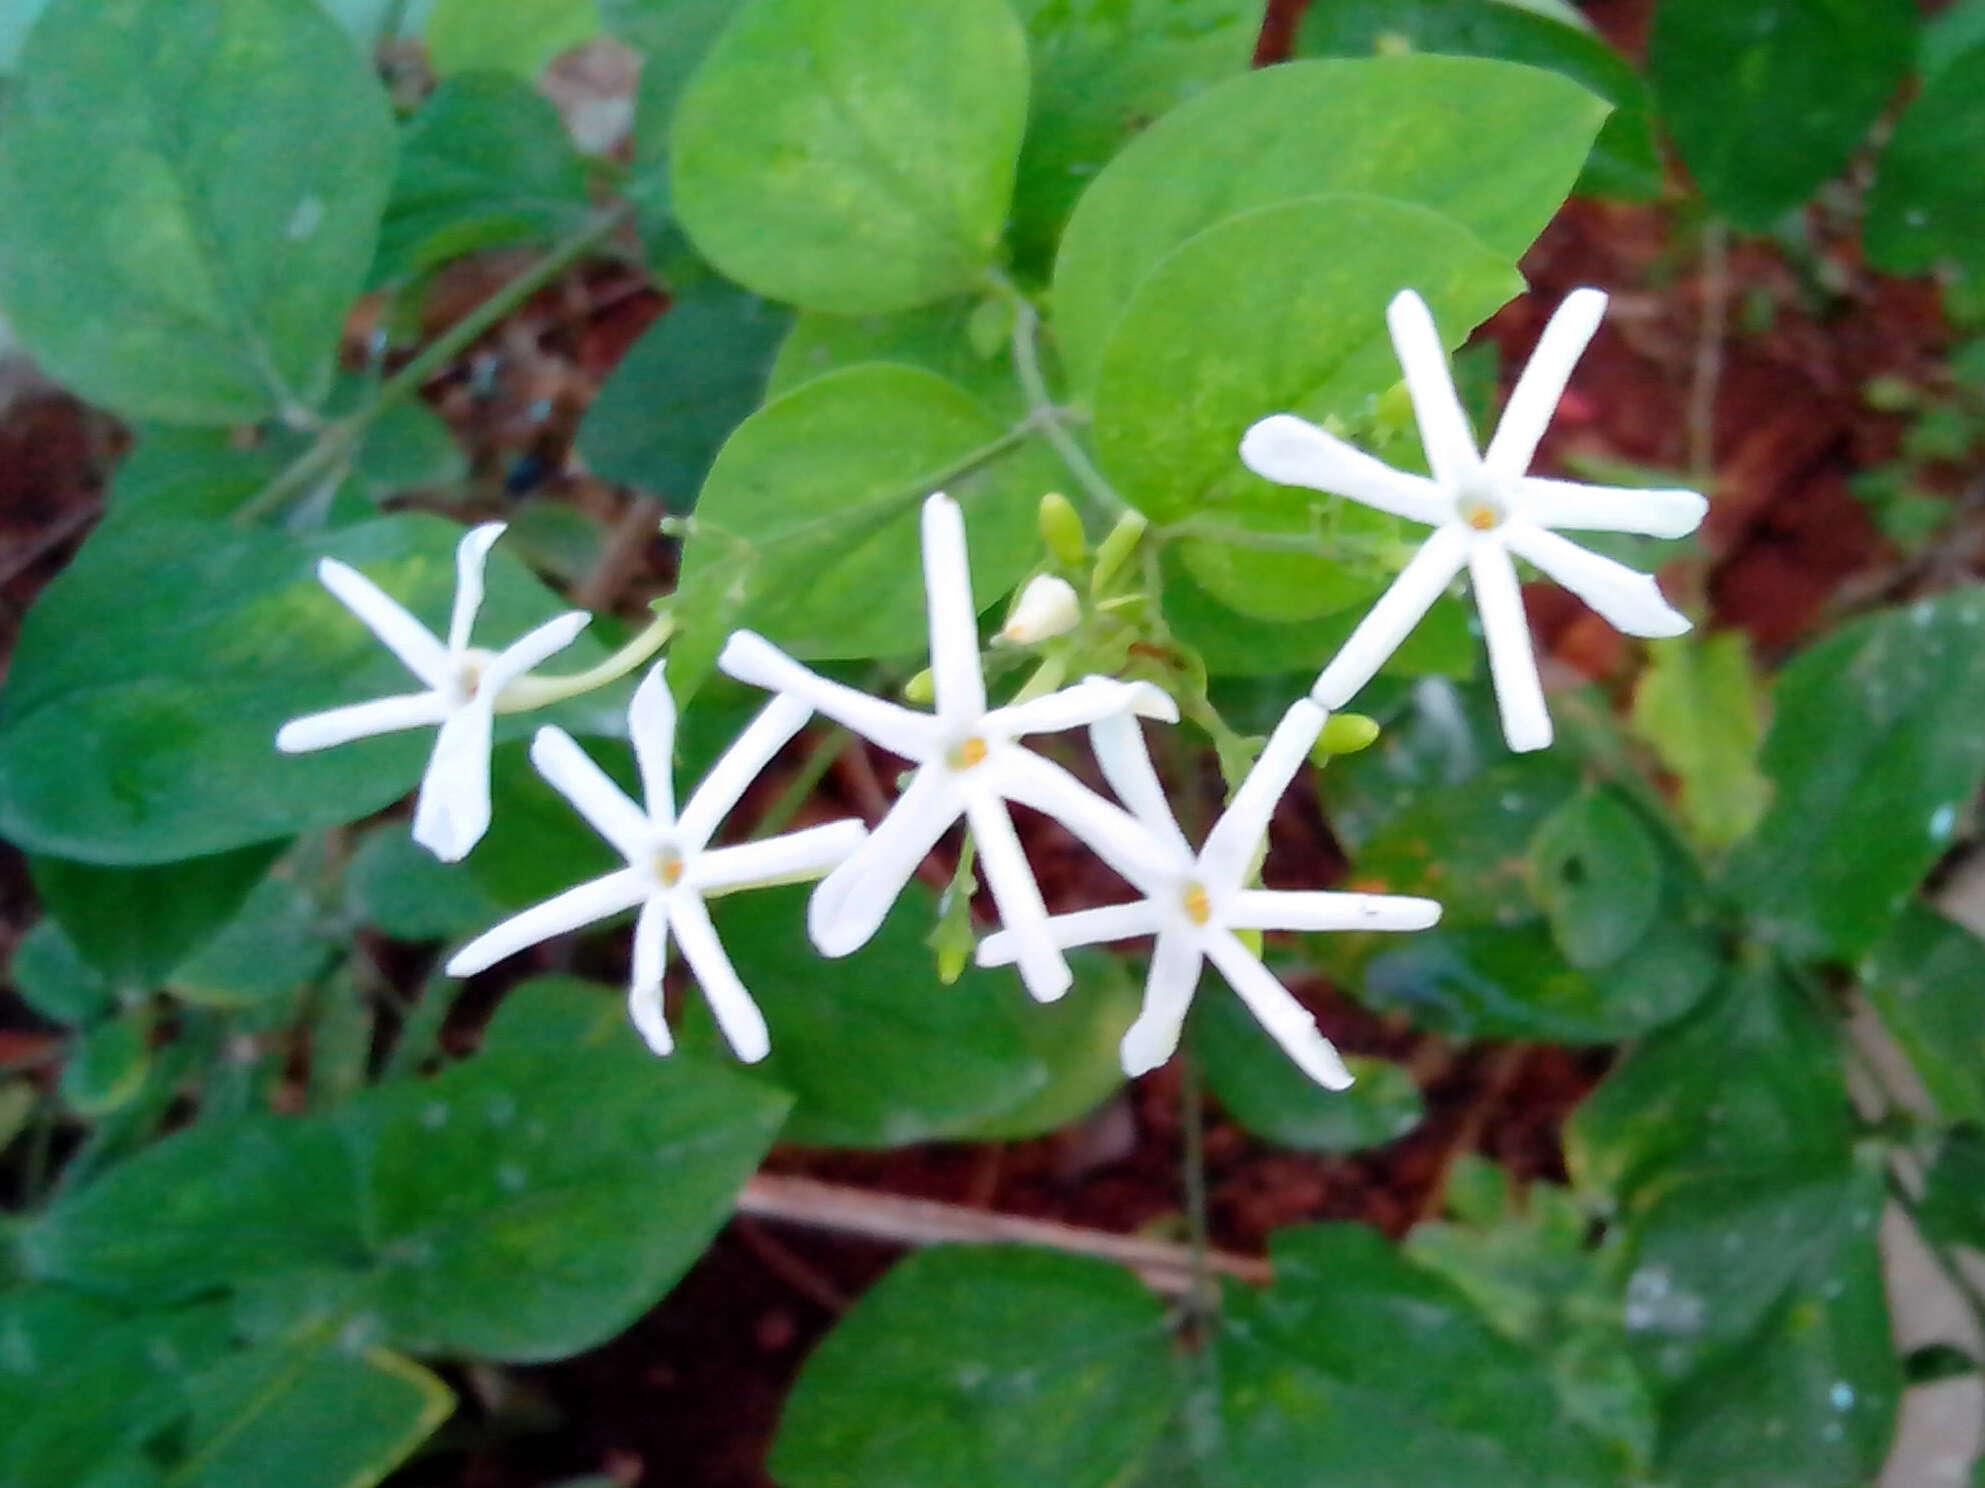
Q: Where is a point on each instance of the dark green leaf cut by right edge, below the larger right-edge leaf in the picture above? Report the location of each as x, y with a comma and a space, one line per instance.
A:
1926, 981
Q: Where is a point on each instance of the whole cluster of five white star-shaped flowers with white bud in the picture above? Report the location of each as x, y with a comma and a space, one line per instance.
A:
972, 761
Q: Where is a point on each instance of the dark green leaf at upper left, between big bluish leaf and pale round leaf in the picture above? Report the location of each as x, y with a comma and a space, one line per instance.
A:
485, 164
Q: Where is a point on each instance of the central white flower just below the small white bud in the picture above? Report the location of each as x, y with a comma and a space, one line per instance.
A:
970, 765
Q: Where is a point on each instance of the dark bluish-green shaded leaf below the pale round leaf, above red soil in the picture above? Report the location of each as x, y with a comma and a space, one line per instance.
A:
676, 398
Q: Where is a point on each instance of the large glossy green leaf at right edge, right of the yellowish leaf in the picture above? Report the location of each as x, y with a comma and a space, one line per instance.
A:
1873, 755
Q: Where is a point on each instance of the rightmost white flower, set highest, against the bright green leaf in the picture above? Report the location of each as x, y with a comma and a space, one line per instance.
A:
1484, 509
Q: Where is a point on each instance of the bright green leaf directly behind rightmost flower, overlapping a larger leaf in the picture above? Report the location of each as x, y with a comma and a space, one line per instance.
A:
1281, 309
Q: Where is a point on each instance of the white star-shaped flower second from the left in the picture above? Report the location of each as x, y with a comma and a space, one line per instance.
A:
672, 868
